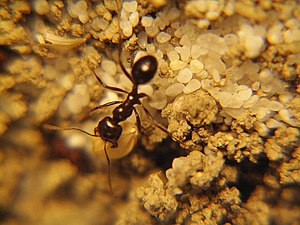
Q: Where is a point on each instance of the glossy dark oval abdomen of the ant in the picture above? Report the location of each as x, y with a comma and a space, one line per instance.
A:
144, 69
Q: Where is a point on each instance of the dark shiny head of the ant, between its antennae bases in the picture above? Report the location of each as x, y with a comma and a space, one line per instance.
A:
109, 131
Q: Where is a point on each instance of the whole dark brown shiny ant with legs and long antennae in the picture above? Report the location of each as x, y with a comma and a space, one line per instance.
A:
108, 128
